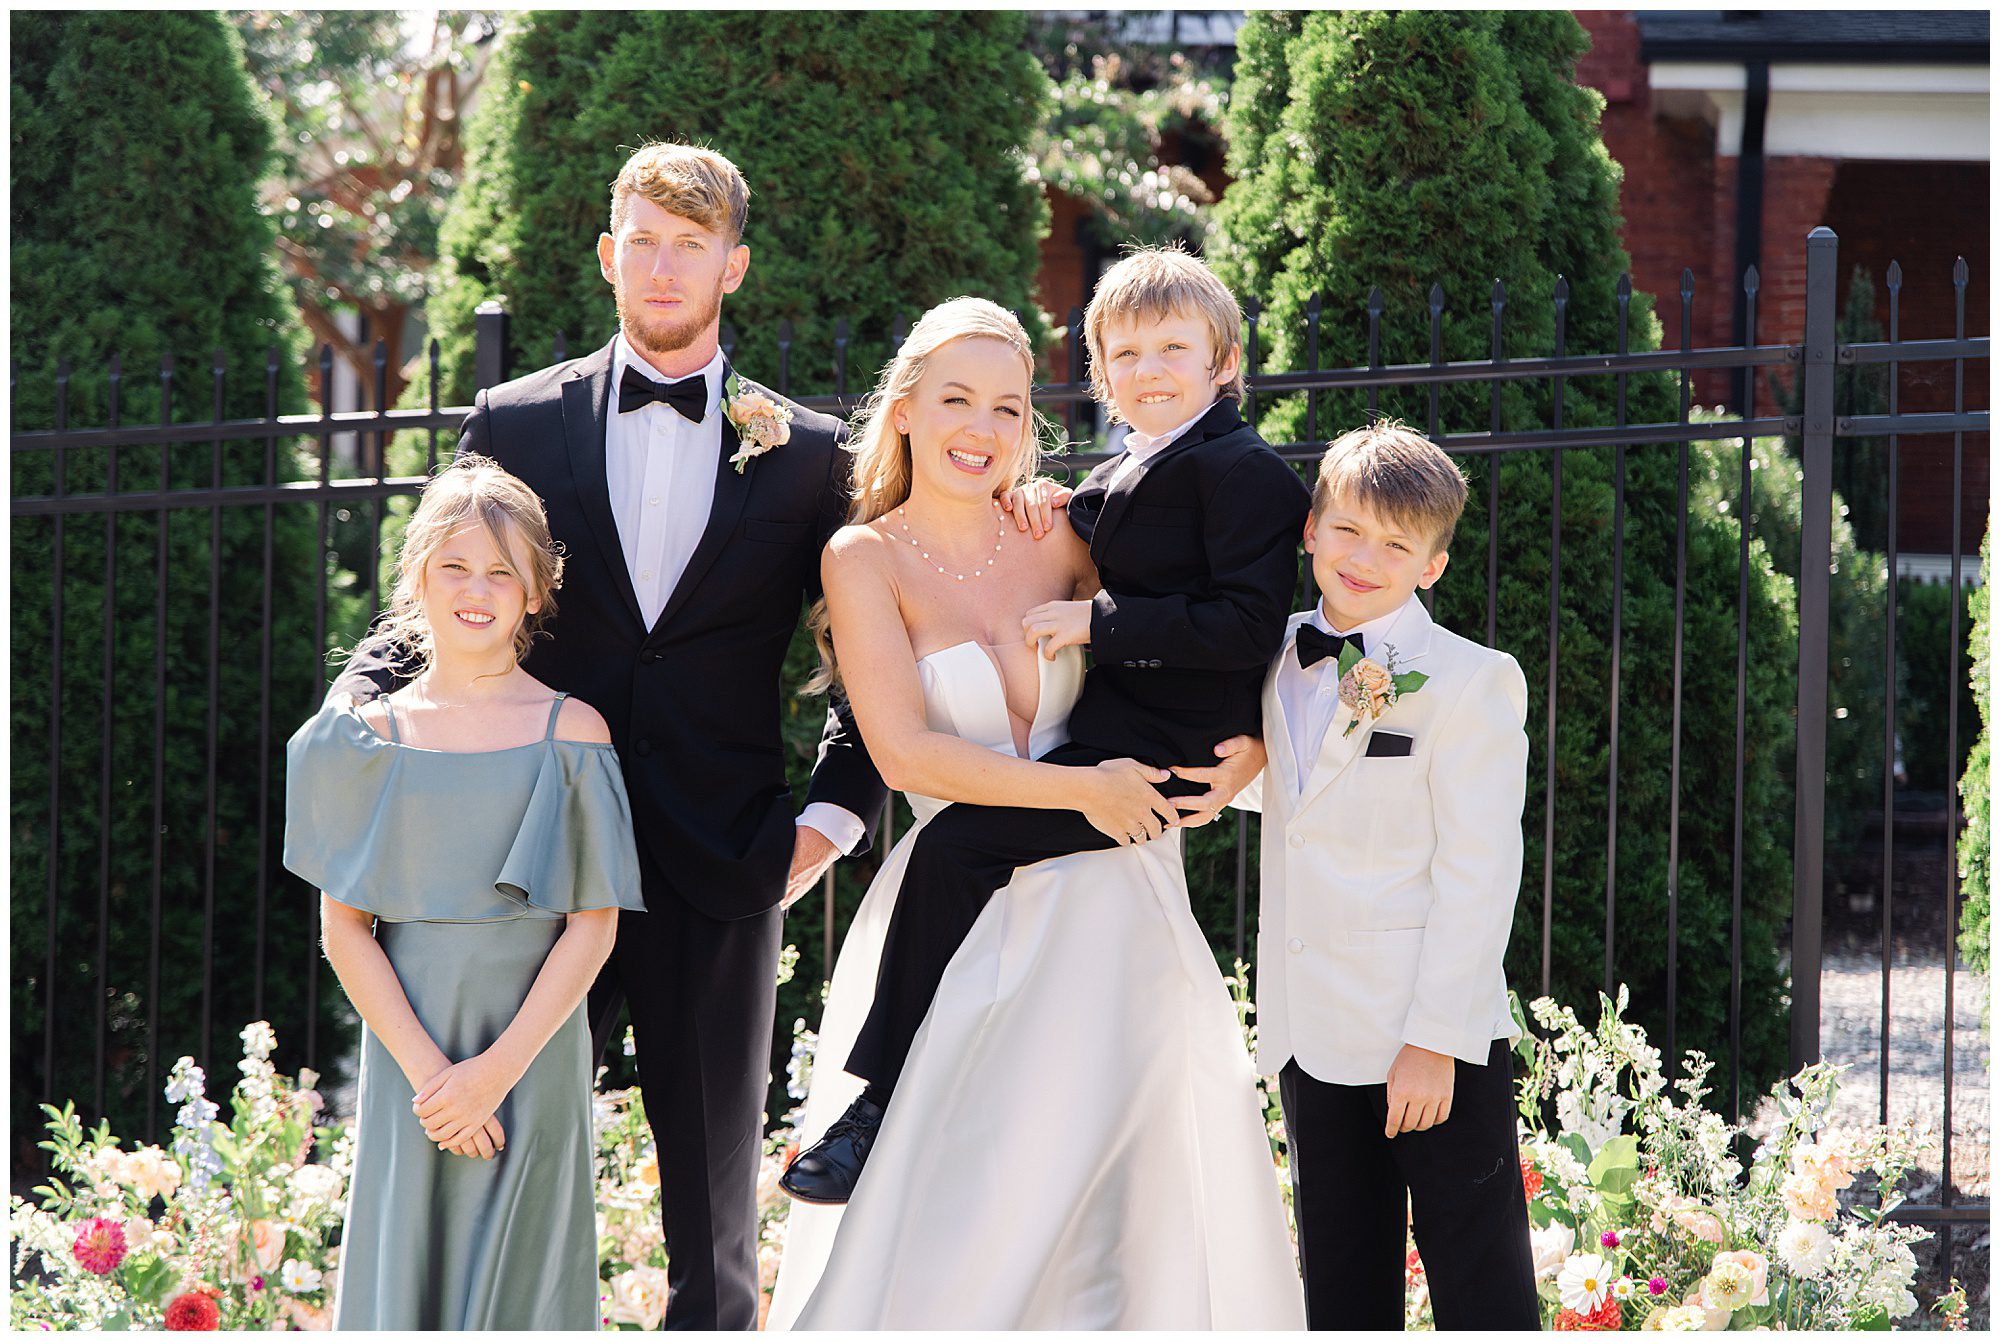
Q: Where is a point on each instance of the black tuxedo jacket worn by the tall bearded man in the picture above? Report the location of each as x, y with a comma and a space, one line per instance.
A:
695, 702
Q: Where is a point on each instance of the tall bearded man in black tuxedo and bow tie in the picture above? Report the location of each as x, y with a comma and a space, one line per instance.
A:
691, 545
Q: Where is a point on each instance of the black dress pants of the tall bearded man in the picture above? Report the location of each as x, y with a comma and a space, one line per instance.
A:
703, 996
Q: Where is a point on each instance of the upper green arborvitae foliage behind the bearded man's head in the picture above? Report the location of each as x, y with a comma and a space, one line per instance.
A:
885, 155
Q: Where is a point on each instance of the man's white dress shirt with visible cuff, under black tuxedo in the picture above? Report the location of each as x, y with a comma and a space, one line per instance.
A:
661, 471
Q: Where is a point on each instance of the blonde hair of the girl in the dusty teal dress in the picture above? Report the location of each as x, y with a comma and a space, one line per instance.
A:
471, 491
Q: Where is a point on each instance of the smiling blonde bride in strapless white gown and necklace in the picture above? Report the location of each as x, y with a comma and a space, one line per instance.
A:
1077, 1138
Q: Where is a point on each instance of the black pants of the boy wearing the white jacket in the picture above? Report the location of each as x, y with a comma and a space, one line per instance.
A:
1465, 1204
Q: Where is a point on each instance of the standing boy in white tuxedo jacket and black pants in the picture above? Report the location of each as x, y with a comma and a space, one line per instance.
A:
1391, 864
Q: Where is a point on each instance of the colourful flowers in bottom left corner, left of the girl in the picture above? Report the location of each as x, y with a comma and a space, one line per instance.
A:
235, 1226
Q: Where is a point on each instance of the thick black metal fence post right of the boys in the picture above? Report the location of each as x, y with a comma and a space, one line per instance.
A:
1815, 555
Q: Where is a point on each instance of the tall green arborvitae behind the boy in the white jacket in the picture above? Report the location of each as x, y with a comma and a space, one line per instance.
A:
1415, 149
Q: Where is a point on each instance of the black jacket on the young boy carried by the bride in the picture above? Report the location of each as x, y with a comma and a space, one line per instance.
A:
1199, 555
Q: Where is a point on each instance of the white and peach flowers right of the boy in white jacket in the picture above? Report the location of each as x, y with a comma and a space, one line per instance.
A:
1645, 1218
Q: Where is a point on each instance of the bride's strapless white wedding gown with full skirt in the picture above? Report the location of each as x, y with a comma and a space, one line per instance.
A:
1077, 1138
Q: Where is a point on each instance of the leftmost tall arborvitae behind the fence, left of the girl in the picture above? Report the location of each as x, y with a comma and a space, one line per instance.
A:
137, 233
